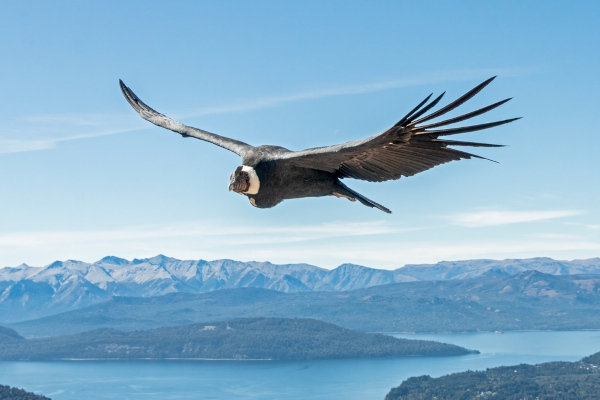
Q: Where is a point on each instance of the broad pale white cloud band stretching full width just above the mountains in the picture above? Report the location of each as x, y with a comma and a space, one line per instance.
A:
379, 244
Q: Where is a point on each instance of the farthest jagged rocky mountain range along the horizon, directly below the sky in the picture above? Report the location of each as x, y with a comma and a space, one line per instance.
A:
33, 292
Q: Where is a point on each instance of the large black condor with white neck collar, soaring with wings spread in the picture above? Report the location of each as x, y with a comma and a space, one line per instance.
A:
270, 174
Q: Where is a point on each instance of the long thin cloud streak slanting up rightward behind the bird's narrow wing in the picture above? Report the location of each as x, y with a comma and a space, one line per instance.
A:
46, 131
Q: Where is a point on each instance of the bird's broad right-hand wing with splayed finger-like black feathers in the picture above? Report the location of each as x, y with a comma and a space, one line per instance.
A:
405, 149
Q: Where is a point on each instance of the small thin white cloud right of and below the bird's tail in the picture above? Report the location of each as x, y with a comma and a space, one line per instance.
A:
491, 218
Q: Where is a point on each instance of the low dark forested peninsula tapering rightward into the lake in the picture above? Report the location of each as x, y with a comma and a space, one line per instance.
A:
257, 338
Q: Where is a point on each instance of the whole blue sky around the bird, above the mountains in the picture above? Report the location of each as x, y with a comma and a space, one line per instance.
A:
82, 176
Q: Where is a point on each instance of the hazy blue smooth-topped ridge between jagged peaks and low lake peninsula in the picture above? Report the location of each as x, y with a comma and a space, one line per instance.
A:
530, 300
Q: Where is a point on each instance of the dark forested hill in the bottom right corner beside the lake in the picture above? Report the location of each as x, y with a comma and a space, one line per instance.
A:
554, 380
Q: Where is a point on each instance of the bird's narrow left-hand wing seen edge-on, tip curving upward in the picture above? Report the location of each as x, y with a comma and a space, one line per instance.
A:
163, 121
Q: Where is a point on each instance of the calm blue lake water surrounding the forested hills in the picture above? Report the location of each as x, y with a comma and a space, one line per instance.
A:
356, 379
